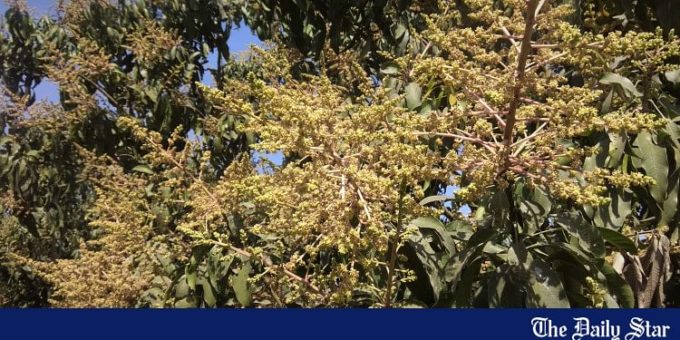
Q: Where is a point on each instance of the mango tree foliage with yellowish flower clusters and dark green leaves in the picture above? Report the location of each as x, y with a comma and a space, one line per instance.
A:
486, 153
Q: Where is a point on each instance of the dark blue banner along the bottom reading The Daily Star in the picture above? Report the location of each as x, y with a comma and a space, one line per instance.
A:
344, 324
